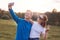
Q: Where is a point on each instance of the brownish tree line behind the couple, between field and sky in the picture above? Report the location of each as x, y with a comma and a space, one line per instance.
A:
53, 17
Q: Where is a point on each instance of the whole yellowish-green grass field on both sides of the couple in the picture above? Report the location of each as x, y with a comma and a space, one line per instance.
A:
8, 31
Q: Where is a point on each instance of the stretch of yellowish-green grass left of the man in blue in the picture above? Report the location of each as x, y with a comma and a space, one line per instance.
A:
7, 30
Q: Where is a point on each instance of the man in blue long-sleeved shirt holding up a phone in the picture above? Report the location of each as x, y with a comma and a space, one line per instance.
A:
23, 25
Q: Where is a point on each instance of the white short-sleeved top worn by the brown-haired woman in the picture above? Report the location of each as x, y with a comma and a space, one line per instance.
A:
36, 30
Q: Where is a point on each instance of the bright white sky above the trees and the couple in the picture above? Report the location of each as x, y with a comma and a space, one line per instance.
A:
33, 5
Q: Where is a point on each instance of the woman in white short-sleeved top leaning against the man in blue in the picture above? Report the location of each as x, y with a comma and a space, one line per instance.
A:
38, 28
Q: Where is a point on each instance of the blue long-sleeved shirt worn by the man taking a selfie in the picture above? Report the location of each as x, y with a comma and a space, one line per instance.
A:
23, 27
